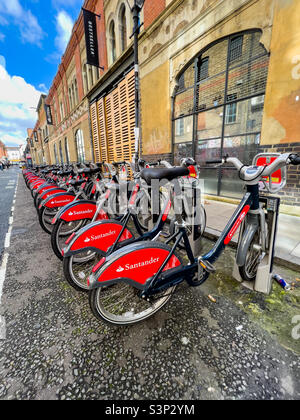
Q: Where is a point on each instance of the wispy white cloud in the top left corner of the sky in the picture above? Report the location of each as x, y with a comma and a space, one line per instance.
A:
29, 27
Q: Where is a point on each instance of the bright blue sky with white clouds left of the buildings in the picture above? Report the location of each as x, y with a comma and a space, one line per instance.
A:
33, 37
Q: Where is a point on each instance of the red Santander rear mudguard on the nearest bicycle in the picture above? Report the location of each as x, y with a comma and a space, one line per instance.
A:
134, 264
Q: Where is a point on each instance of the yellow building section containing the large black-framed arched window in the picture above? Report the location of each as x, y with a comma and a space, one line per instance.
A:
222, 77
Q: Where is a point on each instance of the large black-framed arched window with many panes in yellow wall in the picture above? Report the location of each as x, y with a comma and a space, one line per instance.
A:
218, 107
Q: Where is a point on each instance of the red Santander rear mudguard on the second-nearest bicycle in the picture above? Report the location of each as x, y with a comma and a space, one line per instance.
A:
97, 236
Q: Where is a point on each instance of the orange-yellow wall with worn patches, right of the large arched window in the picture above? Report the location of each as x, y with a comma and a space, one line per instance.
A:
281, 123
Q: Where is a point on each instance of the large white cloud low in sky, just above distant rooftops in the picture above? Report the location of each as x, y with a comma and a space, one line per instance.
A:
17, 98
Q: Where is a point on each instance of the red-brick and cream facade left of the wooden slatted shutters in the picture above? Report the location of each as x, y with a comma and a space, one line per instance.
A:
69, 138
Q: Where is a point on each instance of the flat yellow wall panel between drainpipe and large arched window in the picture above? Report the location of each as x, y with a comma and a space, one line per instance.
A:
156, 111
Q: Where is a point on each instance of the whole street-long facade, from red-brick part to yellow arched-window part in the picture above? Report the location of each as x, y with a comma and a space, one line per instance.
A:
216, 77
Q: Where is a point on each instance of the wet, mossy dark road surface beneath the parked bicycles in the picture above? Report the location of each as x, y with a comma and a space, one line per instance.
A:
238, 347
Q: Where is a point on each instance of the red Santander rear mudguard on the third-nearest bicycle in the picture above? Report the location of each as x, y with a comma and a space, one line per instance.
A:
79, 210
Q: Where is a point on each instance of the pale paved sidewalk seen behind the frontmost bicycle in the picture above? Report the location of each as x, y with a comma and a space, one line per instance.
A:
287, 250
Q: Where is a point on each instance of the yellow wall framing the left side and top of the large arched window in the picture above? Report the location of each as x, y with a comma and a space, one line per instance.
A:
174, 40
